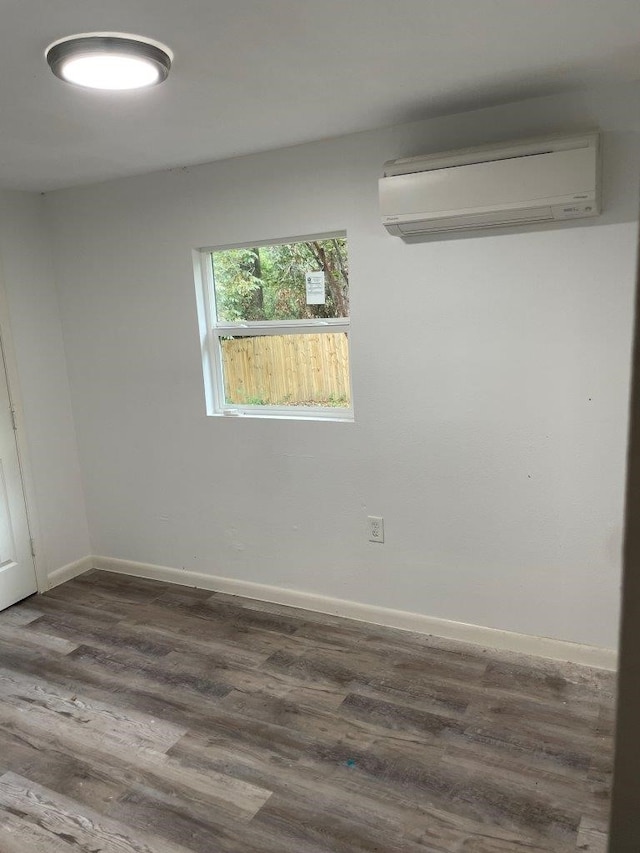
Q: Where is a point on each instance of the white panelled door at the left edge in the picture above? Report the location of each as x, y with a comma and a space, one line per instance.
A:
17, 569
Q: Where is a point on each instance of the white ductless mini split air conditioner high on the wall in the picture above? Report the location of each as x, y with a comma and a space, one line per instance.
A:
516, 183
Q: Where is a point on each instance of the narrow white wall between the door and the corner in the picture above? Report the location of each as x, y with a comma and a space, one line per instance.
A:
35, 335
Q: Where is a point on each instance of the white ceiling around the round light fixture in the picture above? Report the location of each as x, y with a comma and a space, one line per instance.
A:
250, 75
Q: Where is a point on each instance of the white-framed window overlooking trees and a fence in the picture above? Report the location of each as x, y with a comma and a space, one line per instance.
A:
274, 322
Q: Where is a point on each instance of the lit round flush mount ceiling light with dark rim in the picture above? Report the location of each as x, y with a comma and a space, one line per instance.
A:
115, 61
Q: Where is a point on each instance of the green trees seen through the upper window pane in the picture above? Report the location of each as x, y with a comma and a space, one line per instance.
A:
268, 283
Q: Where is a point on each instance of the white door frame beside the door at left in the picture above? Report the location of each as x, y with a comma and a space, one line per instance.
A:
7, 352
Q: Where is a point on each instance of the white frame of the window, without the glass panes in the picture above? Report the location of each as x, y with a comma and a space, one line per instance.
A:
212, 330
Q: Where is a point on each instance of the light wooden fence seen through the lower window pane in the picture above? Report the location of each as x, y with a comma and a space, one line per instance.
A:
287, 369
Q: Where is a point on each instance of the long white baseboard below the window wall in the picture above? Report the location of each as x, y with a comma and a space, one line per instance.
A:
494, 638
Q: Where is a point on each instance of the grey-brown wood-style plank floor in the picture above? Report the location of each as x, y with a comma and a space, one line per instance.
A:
138, 717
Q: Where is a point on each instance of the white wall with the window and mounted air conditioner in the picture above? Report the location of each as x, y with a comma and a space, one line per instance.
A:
490, 380
